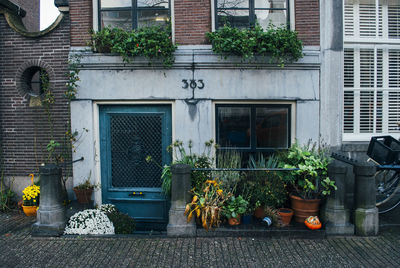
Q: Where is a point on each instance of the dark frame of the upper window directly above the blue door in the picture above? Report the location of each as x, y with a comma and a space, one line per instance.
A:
134, 11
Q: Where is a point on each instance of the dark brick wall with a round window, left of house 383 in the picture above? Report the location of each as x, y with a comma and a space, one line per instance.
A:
24, 129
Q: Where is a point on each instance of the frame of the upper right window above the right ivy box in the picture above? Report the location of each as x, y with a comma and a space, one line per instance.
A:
252, 9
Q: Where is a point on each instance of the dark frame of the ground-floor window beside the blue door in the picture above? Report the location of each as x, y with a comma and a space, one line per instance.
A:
253, 140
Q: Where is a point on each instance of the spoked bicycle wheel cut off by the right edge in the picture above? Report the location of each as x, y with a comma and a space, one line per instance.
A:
387, 186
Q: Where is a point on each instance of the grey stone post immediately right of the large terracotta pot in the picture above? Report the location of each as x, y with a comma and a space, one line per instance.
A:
337, 217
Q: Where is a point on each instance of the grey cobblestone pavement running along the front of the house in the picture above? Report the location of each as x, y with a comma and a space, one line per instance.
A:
19, 249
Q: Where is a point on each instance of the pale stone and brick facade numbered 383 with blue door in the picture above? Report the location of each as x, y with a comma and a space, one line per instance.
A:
132, 110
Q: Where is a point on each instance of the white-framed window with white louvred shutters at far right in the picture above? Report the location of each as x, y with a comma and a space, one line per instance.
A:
378, 41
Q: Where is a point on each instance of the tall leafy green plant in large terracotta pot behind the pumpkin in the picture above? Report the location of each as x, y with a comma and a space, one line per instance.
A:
310, 182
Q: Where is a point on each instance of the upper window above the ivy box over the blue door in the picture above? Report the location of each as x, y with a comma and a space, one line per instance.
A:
131, 14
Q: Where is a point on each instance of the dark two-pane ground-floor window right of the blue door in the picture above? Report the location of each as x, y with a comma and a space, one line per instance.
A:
256, 128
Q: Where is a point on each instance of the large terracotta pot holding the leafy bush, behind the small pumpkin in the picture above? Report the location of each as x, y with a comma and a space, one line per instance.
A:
303, 208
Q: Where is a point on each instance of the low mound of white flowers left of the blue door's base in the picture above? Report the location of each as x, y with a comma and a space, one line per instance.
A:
89, 221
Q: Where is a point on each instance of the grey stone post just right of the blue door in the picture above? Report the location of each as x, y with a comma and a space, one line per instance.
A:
180, 196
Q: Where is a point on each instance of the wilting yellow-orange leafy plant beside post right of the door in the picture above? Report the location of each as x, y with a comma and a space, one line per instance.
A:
207, 204
